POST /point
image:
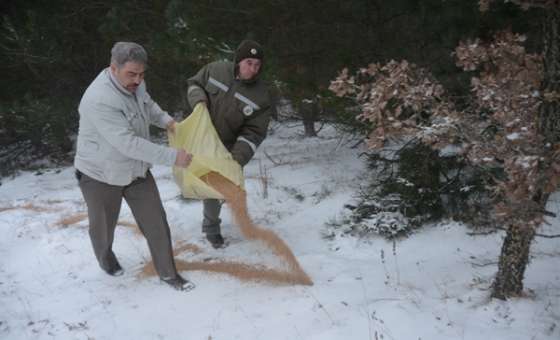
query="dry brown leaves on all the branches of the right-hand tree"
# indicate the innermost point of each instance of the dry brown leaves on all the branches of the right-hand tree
(499, 130)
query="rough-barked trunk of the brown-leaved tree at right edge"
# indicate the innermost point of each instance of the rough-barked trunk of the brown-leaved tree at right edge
(515, 249)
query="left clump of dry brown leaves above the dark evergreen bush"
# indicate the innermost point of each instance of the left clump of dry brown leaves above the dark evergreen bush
(396, 99)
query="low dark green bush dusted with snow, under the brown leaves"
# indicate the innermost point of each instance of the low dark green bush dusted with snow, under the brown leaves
(424, 185)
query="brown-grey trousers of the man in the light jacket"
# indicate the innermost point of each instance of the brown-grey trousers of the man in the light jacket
(104, 204)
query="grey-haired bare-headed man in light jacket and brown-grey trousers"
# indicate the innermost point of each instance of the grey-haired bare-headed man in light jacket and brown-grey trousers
(113, 159)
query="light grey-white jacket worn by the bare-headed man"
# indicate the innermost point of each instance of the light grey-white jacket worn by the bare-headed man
(114, 144)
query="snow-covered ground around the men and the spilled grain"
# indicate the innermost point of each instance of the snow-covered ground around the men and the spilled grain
(432, 285)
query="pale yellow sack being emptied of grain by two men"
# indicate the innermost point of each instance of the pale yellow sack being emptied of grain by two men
(197, 135)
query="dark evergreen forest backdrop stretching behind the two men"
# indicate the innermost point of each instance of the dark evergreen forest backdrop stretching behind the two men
(51, 50)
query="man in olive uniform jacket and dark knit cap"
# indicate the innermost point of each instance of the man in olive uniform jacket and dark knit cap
(239, 106)
